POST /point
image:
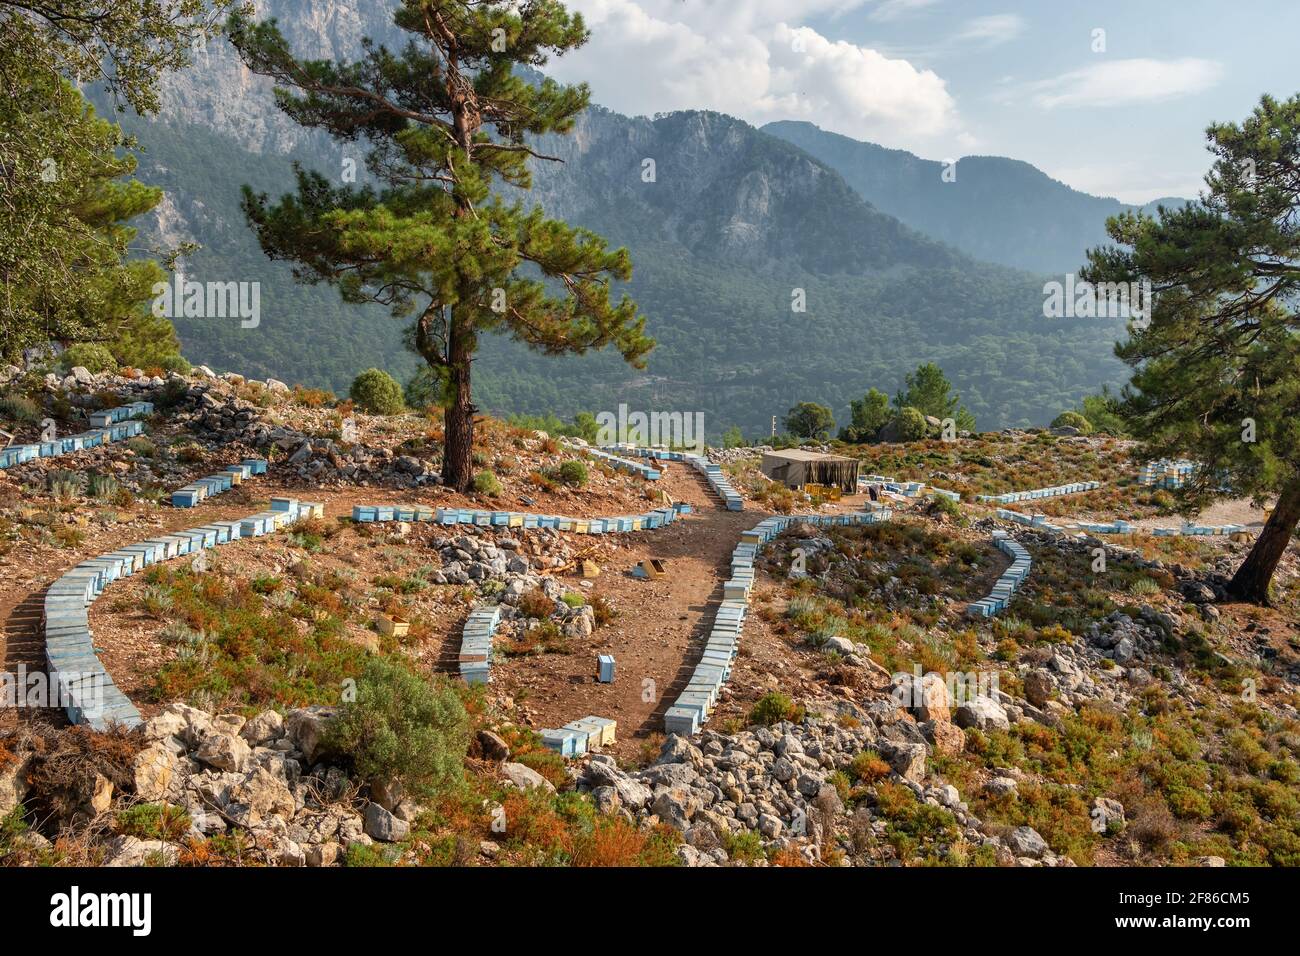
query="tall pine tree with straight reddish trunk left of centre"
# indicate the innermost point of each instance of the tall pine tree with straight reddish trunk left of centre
(447, 119)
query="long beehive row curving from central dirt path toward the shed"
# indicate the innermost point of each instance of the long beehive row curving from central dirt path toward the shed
(696, 703)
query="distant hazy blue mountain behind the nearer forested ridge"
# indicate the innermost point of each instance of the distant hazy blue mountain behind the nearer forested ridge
(999, 210)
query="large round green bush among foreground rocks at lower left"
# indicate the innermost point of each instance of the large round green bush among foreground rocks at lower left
(402, 728)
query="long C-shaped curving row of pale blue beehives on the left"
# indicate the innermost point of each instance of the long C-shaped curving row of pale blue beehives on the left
(86, 690)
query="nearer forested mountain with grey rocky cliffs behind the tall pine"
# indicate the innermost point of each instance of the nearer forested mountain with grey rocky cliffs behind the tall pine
(730, 231)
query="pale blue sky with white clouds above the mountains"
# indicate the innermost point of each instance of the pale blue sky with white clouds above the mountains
(1119, 114)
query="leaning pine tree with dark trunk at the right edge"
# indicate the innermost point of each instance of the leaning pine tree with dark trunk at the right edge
(1216, 361)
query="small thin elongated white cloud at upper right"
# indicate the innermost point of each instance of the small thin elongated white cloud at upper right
(1124, 83)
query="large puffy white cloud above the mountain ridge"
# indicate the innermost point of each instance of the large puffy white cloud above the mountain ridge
(744, 58)
